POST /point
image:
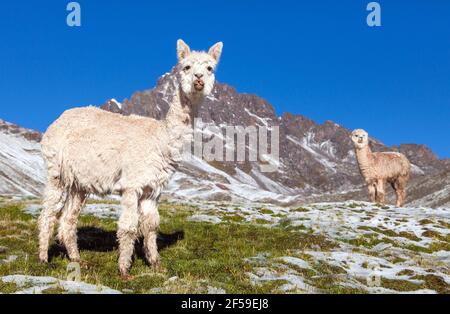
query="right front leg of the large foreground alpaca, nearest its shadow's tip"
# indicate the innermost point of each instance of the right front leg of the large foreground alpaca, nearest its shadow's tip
(149, 228)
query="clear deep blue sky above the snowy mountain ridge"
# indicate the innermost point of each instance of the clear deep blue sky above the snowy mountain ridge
(316, 58)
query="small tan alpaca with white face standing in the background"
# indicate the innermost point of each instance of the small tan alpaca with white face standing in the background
(381, 168)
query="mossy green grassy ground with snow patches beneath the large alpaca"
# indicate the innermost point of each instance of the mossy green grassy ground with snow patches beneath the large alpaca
(199, 255)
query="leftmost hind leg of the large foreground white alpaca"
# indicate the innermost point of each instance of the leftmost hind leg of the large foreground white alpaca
(53, 202)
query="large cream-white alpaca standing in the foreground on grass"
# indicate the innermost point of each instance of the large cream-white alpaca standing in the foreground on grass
(92, 151)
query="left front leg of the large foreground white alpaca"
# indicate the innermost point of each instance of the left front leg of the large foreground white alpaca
(128, 230)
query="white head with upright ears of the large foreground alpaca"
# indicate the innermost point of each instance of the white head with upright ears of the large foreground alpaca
(196, 70)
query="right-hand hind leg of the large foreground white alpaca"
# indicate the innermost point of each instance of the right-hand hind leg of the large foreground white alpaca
(68, 225)
